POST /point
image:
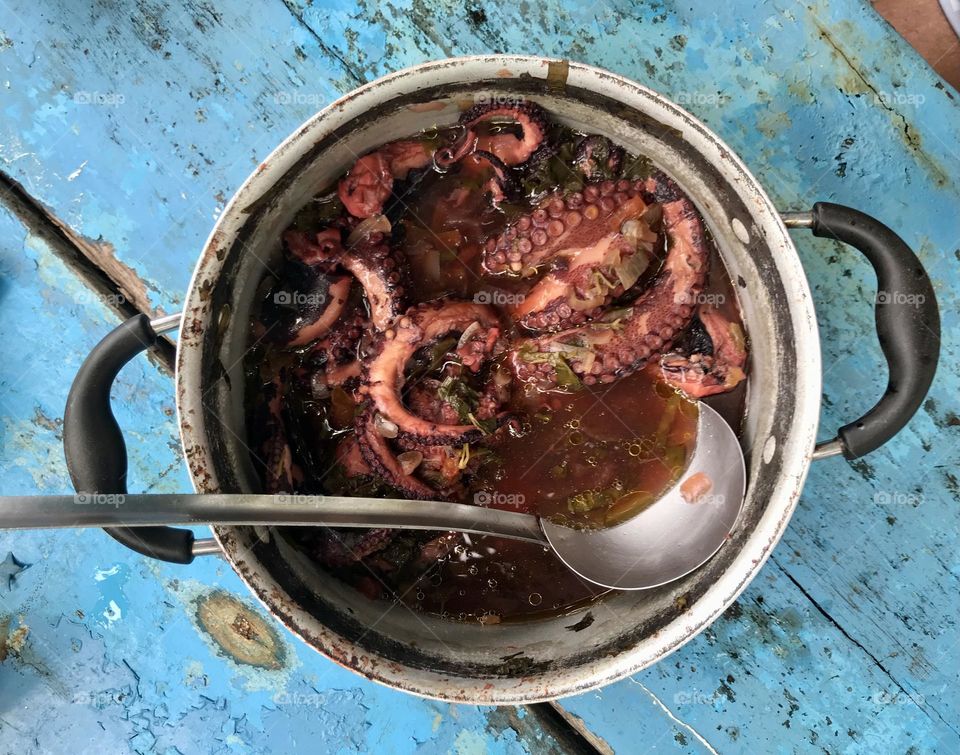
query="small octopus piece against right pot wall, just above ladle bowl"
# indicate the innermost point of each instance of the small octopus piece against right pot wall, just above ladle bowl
(708, 372)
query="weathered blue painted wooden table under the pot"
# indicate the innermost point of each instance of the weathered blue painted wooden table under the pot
(126, 128)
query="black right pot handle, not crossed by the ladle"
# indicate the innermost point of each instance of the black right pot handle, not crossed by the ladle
(907, 321)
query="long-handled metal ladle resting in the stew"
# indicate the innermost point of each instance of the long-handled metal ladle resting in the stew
(665, 541)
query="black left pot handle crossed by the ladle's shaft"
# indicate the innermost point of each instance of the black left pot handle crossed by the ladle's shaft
(93, 442)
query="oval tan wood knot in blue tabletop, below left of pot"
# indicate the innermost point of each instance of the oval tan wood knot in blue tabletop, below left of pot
(241, 633)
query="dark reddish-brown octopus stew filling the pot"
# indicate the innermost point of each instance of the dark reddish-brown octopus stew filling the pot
(505, 312)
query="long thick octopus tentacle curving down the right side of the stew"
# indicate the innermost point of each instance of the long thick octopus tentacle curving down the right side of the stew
(601, 352)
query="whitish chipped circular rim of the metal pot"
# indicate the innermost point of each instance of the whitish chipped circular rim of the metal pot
(798, 441)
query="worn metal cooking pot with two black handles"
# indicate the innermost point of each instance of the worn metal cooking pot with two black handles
(537, 660)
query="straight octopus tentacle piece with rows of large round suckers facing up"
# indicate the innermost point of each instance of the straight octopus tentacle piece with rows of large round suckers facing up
(560, 223)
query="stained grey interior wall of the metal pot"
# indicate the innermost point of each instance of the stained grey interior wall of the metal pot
(390, 642)
